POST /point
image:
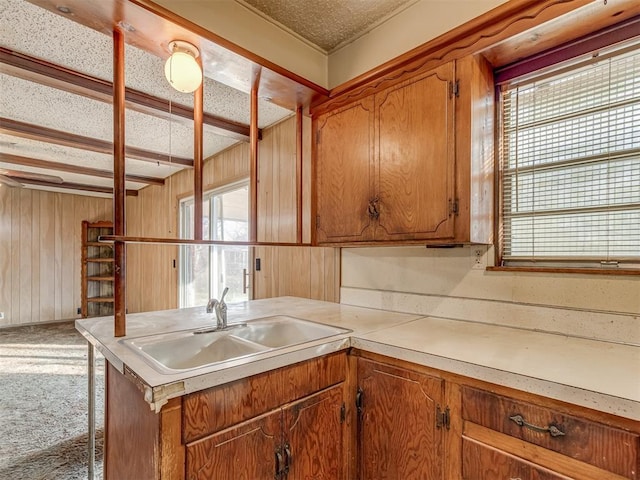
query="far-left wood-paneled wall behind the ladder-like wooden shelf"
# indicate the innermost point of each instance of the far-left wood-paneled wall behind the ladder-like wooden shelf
(40, 246)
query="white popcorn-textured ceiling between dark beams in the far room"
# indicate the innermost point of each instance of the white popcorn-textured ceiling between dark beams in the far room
(31, 30)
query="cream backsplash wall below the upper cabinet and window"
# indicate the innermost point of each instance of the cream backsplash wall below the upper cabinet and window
(447, 283)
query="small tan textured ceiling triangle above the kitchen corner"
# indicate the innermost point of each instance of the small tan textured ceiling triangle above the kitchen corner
(328, 24)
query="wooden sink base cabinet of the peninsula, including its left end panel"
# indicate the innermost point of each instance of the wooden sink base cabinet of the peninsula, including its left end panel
(284, 424)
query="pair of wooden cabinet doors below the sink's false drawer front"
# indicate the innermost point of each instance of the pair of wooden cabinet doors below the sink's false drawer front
(300, 441)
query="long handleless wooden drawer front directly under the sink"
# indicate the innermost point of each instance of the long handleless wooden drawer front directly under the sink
(211, 410)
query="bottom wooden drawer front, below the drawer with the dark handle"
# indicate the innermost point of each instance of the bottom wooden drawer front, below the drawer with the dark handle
(482, 462)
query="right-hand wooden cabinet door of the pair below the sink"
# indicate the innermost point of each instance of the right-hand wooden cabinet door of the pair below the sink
(315, 435)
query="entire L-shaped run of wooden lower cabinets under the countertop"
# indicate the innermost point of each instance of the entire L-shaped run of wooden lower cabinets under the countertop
(350, 416)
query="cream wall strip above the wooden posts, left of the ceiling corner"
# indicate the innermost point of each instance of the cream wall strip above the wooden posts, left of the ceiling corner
(246, 29)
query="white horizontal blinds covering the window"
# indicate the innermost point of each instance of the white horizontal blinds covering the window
(570, 155)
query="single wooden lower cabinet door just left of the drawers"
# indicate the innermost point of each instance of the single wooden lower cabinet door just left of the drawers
(398, 437)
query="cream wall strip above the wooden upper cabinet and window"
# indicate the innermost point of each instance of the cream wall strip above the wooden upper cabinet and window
(412, 27)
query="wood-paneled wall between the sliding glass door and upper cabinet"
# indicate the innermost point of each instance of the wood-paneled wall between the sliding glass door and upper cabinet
(310, 272)
